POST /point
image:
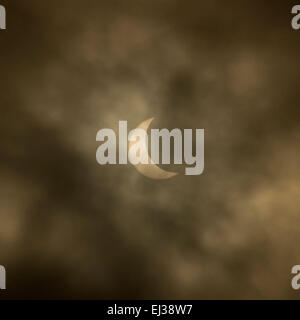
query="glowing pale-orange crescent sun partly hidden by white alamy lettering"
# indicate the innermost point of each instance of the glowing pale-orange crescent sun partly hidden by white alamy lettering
(151, 170)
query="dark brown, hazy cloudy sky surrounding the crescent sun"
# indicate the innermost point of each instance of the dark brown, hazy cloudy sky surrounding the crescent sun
(70, 228)
